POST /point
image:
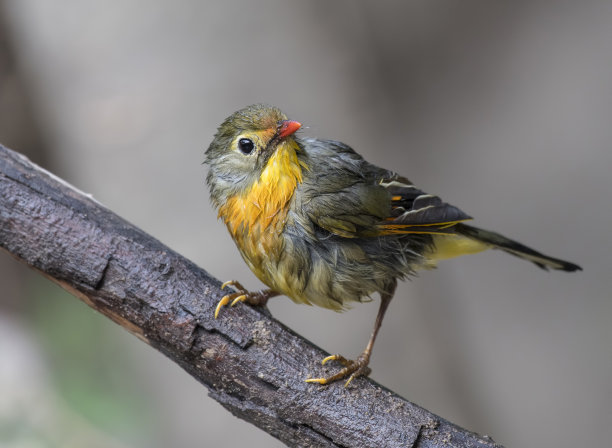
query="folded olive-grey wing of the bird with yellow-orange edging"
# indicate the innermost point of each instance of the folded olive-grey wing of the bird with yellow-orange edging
(352, 198)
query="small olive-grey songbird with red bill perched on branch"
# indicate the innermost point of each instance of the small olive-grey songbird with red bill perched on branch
(316, 222)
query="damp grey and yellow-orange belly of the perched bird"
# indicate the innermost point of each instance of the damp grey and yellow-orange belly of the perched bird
(330, 273)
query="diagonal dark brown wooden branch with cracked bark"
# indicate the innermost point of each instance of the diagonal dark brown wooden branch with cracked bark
(252, 364)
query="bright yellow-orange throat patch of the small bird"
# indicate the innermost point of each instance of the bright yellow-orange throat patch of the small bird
(265, 202)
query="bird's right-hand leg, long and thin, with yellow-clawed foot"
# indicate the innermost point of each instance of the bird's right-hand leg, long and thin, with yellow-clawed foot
(358, 367)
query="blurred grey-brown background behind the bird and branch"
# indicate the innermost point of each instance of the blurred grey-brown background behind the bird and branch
(502, 108)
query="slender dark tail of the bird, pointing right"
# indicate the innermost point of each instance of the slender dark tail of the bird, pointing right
(512, 247)
